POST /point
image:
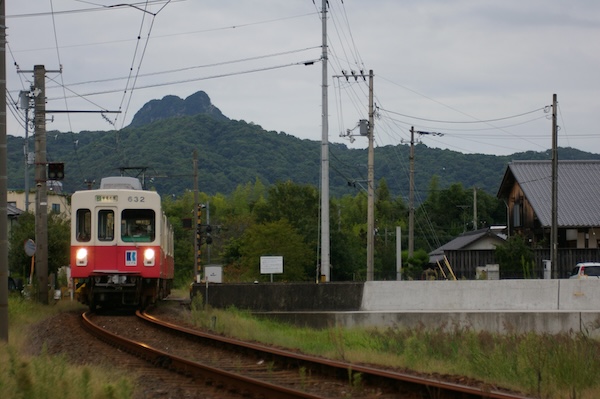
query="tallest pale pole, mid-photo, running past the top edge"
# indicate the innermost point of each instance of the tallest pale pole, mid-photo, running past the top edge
(325, 240)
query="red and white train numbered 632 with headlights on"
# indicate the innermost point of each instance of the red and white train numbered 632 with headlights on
(121, 245)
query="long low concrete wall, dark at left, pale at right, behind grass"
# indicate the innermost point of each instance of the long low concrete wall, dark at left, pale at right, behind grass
(501, 306)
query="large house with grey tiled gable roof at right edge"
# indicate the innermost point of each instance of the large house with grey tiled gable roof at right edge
(527, 191)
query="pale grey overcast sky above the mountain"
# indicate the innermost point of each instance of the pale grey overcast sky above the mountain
(481, 72)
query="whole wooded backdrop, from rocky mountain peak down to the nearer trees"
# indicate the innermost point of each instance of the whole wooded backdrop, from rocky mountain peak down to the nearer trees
(261, 189)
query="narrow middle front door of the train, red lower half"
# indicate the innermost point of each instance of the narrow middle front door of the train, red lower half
(106, 250)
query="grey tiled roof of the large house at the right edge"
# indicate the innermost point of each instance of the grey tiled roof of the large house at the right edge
(578, 190)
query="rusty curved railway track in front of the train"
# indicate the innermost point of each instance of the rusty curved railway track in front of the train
(258, 371)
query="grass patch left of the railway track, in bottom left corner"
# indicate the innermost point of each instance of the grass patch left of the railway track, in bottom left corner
(49, 376)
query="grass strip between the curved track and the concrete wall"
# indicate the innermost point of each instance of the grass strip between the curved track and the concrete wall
(544, 366)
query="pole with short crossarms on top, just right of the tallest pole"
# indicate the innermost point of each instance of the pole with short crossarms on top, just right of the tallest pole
(371, 190)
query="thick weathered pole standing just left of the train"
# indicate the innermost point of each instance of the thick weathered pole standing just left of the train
(41, 197)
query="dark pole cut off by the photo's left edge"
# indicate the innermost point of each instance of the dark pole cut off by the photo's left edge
(3, 184)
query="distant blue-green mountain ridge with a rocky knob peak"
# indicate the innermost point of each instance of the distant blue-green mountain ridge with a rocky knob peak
(160, 142)
